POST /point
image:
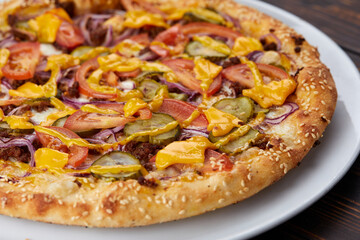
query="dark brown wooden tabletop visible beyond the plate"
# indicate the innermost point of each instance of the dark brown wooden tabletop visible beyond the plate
(337, 214)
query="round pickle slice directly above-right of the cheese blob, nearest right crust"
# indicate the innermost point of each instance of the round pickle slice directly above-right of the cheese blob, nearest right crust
(242, 107)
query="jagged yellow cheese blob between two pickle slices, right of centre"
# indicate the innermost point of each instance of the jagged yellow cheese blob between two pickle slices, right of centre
(220, 123)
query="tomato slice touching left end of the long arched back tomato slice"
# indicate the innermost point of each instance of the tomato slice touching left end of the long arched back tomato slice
(173, 38)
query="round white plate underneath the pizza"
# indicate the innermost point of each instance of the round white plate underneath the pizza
(320, 170)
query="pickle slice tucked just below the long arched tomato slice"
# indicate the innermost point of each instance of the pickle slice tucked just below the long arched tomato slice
(195, 48)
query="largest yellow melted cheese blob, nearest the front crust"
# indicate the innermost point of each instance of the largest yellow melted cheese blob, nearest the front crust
(191, 151)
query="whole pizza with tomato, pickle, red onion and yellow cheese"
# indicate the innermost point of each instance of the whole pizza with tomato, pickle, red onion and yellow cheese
(129, 113)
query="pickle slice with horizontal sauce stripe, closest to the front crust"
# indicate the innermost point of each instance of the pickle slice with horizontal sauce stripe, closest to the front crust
(116, 158)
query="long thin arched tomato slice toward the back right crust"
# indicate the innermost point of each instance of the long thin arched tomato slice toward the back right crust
(210, 28)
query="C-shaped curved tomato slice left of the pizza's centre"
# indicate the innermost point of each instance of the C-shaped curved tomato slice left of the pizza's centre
(84, 87)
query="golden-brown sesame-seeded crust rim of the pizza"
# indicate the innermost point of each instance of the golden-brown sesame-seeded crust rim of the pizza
(124, 204)
